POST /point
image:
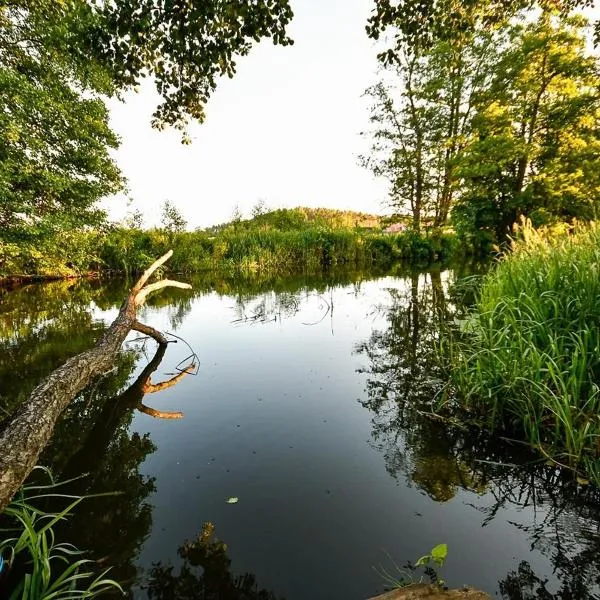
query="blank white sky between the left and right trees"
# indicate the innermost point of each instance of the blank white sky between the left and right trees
(285, 130)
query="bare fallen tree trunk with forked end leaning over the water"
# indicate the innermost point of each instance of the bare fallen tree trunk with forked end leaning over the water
(29, 429)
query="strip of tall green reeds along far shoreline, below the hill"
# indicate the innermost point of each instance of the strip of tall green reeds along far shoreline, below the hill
(269, 250)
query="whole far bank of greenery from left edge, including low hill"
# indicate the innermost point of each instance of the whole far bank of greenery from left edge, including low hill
(287, 242)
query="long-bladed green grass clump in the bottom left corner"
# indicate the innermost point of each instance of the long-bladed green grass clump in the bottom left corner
(51, 569)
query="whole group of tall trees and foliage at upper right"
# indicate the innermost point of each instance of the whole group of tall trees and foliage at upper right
(493, 113)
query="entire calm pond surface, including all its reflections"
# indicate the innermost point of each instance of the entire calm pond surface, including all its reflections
(309, 406)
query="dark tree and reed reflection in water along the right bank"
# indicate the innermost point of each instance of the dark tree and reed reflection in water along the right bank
(441, 458)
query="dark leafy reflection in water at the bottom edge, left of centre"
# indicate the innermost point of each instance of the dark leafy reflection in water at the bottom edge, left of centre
(204, 575)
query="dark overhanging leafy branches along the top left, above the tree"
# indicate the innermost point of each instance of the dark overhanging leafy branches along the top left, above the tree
(183, 45)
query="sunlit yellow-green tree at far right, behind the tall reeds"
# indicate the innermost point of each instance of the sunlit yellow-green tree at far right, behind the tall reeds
(535, 142)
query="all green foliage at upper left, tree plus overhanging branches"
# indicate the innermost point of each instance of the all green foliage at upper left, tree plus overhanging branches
(58, 62)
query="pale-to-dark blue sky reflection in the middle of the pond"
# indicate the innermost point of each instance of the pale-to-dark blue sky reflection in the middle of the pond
(273, 418)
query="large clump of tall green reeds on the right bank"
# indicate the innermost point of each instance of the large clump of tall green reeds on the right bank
(528, 359)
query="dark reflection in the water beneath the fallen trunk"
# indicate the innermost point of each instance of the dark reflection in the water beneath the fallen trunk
(101, 445)
